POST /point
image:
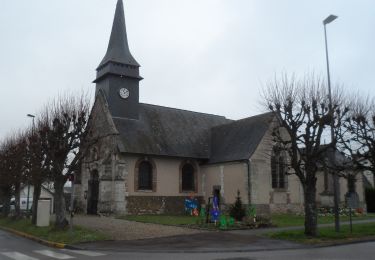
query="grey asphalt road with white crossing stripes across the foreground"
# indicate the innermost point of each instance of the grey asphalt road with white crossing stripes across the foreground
(12, 247)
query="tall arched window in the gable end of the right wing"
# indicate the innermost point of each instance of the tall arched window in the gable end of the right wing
(278, 169)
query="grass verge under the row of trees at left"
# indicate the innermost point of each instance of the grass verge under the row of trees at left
(49, 233)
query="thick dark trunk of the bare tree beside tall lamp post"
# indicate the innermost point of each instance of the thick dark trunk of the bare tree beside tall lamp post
(311, 213)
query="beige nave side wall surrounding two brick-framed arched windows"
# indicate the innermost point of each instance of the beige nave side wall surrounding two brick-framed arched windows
(166, 198)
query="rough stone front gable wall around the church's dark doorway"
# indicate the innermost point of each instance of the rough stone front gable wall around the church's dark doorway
(104, 160)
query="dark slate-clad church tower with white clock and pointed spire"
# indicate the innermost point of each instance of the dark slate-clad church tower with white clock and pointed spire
(117, 75)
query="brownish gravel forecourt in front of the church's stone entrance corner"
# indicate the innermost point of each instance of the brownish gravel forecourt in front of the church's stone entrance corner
(119, 229)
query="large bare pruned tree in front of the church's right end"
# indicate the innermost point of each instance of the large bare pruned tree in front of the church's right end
(303, 110)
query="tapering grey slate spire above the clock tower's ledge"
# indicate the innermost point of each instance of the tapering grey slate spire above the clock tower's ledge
(118, 48)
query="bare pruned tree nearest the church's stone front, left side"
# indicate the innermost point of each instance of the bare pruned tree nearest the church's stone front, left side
(66, 120)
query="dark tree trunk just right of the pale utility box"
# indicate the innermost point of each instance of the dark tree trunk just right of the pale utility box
(60, 207)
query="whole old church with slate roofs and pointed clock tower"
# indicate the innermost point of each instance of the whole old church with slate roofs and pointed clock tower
(147, 159)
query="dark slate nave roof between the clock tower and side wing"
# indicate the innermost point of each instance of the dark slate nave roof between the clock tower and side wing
(168, 132)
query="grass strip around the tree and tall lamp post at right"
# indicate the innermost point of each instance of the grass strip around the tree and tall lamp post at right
(327, 235)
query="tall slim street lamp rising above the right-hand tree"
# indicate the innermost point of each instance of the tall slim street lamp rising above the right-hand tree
(326, 21)
